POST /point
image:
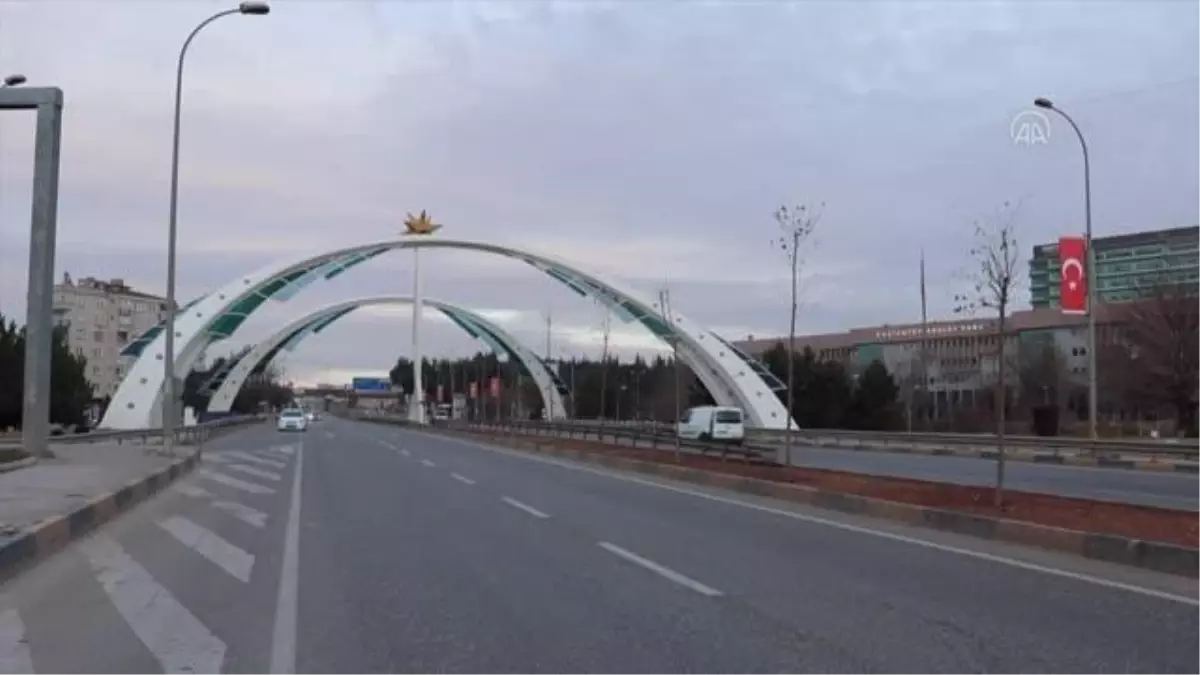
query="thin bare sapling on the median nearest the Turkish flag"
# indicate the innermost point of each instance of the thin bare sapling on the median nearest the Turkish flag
(994, 279)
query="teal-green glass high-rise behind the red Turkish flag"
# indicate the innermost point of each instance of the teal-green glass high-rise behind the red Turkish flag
(1126, 265)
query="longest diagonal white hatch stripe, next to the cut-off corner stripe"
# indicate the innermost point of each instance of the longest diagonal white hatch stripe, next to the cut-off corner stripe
(178, 640)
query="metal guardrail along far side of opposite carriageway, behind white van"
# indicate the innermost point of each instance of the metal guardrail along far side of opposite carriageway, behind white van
(867, 440)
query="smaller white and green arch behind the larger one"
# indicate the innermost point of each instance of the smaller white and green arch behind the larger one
(477, 326)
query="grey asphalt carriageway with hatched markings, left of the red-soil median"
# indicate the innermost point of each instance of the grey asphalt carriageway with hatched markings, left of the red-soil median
(399, 552)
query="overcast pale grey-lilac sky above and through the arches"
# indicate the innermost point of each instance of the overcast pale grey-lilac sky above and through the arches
(651, 141)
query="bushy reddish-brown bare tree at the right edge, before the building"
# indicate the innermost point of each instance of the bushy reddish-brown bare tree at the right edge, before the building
(1163, 336)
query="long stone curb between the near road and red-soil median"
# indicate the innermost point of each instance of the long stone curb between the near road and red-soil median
(1157, 557)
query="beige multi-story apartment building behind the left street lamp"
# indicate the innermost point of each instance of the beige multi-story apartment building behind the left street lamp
(103, 318)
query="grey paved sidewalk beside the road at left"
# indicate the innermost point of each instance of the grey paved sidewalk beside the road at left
(79, 475)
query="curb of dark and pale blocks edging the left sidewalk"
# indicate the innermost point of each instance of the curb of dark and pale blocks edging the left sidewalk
(53, 534)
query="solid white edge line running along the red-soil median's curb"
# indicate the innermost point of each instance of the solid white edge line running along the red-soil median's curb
(862, 530)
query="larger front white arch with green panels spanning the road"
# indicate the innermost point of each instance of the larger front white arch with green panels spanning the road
(733, 378)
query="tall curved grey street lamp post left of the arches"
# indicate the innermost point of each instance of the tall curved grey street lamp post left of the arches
(251, 8)
